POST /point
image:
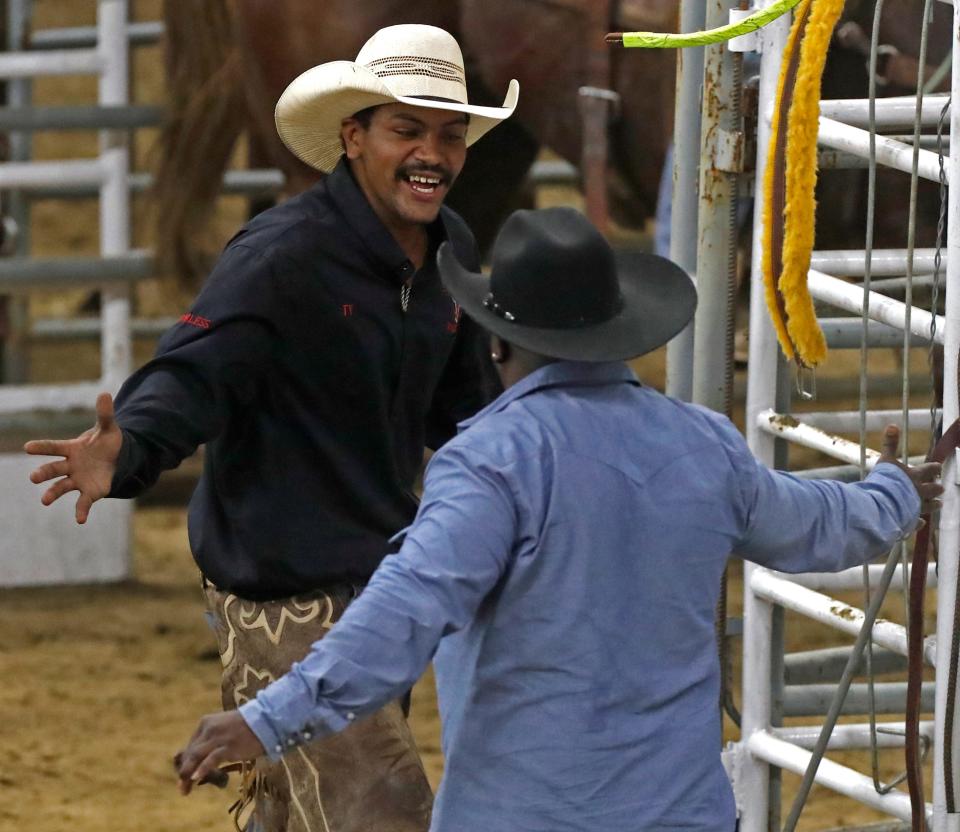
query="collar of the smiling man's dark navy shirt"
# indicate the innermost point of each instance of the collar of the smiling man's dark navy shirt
(353, 204)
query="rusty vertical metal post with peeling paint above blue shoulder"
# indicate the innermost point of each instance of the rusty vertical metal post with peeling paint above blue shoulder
(721, 149)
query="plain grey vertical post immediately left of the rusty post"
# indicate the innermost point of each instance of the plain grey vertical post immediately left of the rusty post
(686, 173)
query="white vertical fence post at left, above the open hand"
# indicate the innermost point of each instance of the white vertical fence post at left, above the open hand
(115, 359)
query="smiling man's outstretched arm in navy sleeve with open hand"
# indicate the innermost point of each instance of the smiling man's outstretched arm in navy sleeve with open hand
(207, 369)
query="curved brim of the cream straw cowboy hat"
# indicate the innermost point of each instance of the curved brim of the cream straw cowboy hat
(311, 110)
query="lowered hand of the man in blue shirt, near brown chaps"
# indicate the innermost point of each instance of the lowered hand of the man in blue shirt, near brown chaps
(219, 738)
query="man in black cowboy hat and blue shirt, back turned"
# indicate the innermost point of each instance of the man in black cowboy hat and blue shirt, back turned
(564, 564)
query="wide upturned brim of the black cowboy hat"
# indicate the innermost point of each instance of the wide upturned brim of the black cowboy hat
(659, 300)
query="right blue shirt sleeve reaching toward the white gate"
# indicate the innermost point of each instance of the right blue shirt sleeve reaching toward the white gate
(796, 525)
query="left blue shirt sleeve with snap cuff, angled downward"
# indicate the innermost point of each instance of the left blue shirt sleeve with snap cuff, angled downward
(453, 555)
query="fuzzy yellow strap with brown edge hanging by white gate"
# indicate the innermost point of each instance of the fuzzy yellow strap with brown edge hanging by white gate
(789, 204)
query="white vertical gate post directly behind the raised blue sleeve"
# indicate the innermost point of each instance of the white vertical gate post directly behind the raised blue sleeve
(757, 710)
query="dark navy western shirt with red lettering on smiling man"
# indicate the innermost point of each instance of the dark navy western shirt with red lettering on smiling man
(313, 388)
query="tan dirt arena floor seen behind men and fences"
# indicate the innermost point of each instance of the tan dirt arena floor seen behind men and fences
(102, 684)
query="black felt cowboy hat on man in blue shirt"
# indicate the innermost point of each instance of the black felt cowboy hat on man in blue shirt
(556, 288)
